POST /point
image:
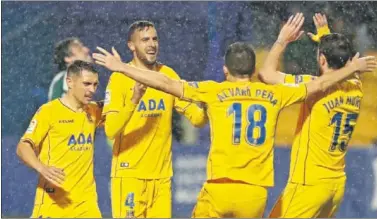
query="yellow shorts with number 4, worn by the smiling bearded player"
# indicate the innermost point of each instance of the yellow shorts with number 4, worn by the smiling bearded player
(152, 197)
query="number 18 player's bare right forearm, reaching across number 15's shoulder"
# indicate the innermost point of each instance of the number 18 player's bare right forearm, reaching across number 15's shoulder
(326, 81)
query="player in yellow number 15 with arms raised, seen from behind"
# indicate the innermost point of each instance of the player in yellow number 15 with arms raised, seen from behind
(317, 178)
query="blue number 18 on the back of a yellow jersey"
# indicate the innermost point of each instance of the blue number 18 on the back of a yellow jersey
(253, 123)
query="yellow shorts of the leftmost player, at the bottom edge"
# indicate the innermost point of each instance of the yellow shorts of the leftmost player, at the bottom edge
(85, 209)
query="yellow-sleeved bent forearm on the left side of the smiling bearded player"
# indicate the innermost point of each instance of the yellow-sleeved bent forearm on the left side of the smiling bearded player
(116, 121)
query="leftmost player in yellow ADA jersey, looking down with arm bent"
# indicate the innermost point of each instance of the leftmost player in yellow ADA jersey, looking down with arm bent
(59, 145)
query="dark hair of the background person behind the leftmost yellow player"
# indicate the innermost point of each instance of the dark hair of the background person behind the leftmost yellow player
(62, 50)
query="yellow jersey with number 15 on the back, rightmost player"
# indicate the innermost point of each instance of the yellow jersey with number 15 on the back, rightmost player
(324, 128)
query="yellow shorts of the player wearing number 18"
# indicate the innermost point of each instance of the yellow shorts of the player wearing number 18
(219, 200)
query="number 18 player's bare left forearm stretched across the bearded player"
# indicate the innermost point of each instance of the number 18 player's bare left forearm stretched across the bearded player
(153, 79)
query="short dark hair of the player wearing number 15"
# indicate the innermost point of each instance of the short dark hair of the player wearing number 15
(337, 49)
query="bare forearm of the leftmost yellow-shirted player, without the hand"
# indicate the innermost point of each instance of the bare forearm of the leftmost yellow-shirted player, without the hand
(27, 154)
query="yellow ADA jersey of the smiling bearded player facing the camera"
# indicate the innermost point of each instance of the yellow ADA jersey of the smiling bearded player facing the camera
(143, 148)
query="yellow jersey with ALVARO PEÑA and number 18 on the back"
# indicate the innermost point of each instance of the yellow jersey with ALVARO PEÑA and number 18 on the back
(243, 117)
